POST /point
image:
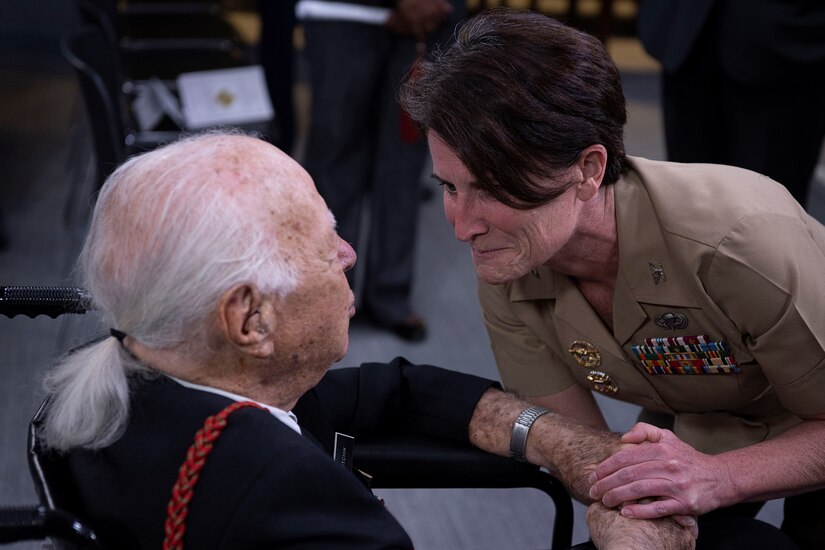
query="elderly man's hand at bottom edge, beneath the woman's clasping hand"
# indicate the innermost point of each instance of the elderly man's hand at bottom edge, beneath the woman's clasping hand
(611, 531)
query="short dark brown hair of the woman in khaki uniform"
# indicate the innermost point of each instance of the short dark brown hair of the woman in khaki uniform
(518, 96)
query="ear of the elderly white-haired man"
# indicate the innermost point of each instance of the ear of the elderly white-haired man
(246, 319)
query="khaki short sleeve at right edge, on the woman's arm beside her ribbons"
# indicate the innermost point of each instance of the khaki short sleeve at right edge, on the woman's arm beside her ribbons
(767, 277)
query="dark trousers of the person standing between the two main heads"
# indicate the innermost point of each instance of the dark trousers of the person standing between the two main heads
(358, 157)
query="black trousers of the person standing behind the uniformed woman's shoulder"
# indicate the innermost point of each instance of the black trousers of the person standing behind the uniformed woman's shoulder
(775, 128)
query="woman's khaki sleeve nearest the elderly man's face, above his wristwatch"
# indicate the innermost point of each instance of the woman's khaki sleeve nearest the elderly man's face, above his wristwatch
(526, 364)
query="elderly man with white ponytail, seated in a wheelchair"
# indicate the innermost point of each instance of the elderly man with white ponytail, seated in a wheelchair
(217, 265)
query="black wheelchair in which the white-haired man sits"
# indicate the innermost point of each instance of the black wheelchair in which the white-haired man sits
(398, 461)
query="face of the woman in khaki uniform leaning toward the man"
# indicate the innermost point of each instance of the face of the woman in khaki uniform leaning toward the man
(506, 242)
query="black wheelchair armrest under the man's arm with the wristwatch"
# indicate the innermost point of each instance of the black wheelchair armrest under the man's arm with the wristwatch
(411, 461)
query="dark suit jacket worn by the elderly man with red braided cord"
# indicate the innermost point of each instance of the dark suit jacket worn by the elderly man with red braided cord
(263, 485)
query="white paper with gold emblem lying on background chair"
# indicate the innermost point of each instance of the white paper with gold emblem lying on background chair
(224, 96)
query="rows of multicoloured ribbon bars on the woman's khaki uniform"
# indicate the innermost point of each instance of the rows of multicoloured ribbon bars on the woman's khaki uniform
(686, 355)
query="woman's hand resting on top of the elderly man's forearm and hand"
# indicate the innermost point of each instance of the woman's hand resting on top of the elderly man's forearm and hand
(679, 479)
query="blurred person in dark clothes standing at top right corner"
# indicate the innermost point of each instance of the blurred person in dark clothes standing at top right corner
(743, 83)
